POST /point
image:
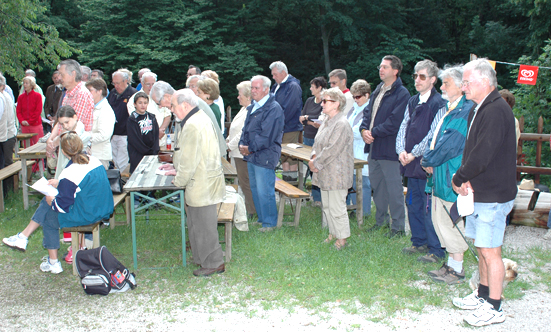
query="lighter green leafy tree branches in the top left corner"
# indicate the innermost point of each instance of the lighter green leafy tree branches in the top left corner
(26, 42)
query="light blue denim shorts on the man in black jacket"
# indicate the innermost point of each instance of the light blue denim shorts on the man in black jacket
(487, 224)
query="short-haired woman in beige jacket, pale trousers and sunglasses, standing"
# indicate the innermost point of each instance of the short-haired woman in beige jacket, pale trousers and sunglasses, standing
(332, 162)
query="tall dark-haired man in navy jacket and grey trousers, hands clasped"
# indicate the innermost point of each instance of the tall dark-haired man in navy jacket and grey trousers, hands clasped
(382, 119)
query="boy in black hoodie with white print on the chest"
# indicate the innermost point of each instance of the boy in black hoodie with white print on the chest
(142, 130)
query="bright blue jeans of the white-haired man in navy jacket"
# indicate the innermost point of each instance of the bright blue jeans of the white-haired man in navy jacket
(262, 183)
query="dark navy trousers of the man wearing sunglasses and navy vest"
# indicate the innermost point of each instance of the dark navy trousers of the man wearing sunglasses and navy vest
(420, 222)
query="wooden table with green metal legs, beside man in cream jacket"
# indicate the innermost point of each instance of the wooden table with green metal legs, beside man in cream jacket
(145, 179)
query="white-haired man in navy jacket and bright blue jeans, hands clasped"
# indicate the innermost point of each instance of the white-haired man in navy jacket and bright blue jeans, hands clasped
(260, 145)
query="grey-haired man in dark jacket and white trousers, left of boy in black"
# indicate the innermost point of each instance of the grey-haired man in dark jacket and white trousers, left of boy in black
(118, 99)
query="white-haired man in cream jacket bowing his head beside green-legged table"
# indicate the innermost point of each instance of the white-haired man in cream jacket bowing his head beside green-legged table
(198, 169)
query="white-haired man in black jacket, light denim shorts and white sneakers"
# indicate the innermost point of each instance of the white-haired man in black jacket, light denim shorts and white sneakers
(488, 169)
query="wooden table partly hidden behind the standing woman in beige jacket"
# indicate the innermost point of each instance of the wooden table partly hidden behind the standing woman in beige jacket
(303, 153)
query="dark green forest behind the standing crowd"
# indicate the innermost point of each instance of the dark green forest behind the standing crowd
(239, 39)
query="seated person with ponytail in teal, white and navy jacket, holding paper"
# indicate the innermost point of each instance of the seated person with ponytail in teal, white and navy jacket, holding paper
(84, 197)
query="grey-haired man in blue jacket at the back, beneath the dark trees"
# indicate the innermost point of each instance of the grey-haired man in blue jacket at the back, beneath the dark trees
(288, 94)
